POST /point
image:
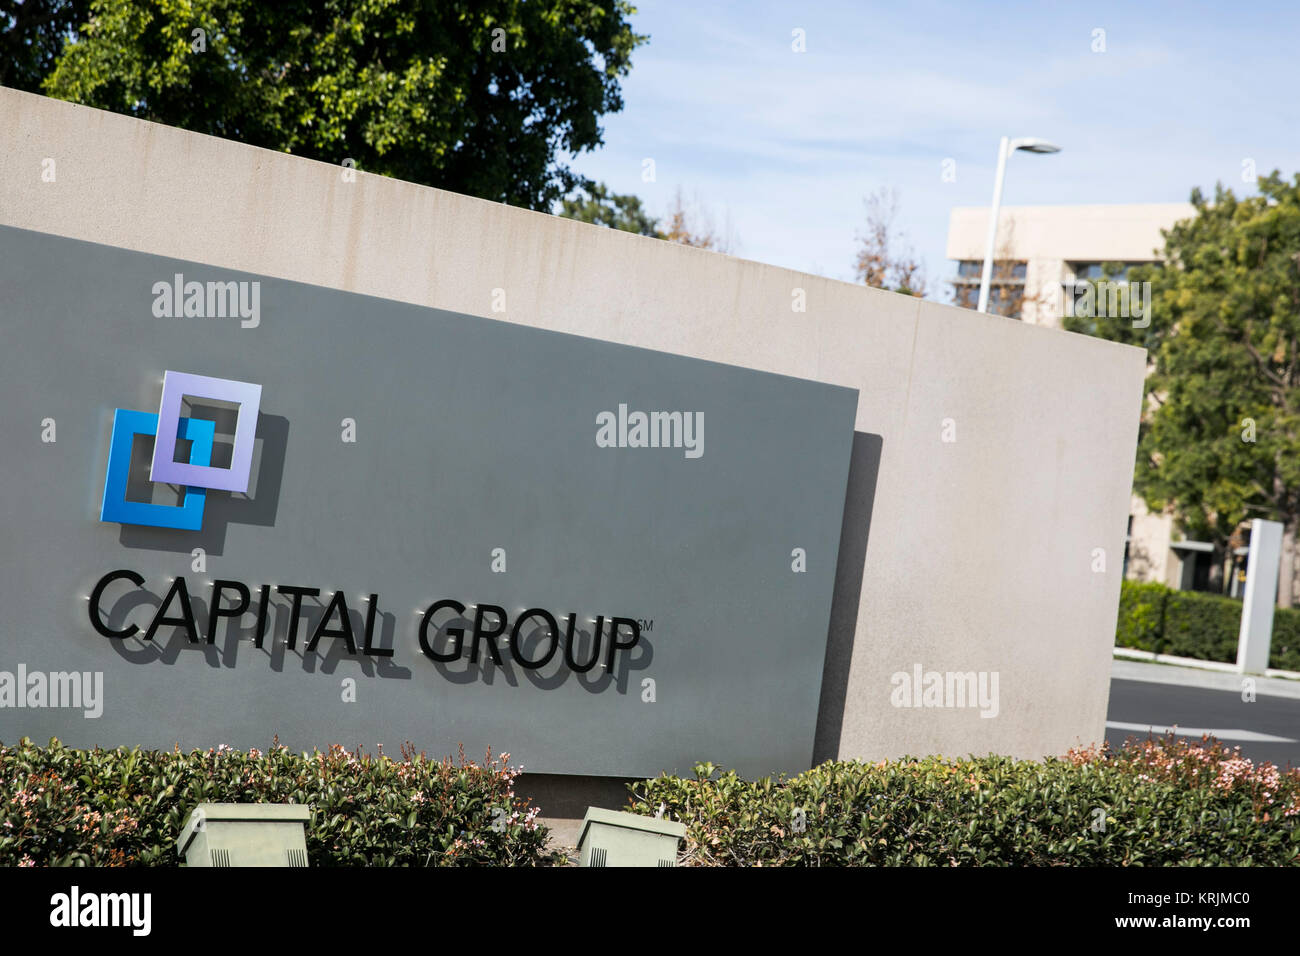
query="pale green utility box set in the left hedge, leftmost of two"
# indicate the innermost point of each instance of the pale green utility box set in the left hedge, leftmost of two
(245, 836)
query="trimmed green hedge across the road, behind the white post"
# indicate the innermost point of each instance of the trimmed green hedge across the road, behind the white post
(1191, 624)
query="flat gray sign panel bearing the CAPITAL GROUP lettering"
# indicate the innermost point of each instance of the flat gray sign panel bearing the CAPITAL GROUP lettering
(415, 456)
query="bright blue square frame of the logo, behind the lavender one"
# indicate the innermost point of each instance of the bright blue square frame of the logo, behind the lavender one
(116, 508)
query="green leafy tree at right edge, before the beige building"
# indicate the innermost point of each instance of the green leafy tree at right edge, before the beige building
(1220, 438)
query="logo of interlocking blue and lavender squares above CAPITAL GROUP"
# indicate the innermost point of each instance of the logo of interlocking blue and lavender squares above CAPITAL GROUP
(198, 475)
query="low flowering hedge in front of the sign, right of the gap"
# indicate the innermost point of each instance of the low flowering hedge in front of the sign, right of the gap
(1155, 803)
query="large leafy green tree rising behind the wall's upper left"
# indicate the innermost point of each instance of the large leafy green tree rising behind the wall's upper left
(479, 97)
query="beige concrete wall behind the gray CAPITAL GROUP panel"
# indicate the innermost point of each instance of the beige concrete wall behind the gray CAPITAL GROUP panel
(981, 552)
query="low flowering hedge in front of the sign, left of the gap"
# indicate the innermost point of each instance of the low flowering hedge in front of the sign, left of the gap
(62, 807)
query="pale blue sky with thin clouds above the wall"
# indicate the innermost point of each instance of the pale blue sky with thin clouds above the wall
(788, 145)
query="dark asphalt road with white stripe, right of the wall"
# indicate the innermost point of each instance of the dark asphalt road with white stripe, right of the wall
(1267, 729)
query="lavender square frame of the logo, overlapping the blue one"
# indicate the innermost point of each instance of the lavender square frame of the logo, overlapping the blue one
(233, 479)
